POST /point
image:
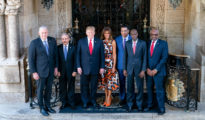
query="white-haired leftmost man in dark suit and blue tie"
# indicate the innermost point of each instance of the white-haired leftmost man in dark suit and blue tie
(43, 63)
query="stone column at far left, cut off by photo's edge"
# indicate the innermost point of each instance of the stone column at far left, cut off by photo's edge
(2, 31)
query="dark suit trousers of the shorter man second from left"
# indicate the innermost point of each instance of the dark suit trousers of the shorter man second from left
(67, 89)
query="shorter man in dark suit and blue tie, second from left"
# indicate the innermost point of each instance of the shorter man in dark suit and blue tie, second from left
(67, 71)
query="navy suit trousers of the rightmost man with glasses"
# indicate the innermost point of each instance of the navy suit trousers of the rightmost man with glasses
(158, 81)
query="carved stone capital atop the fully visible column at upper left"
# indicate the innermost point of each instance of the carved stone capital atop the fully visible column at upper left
(12, 7)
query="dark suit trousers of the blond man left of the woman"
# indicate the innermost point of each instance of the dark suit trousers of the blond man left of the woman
(88, 83)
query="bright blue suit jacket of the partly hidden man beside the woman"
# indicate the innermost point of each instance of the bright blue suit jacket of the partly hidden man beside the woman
(120, 51)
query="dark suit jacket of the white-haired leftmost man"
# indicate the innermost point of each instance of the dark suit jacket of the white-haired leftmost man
(39, 61)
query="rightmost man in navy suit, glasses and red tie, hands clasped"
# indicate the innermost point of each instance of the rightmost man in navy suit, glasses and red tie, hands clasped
(156, 70)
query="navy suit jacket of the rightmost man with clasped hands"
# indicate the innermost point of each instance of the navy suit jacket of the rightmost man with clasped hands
(159, 57)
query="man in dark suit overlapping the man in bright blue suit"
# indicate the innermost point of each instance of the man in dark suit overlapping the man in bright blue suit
(135, 61)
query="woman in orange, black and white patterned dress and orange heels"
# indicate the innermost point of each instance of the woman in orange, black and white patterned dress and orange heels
(109, 80)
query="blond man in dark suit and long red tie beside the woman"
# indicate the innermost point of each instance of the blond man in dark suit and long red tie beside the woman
(90, 61)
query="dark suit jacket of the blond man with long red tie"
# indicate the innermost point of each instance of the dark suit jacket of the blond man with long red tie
(90, 64)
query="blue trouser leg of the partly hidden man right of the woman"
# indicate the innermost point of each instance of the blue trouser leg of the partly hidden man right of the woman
(122, 84)
